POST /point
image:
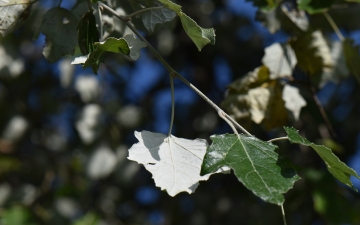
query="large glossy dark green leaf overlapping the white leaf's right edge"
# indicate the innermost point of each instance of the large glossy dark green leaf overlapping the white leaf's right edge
(255, 163)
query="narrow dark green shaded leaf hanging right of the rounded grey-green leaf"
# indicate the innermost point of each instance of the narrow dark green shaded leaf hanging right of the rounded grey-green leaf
(87, 33)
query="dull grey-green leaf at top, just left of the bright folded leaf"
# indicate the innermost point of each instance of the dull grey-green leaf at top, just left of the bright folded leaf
(152, 17)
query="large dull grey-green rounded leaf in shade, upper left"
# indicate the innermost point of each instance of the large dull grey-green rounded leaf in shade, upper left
(59, 26)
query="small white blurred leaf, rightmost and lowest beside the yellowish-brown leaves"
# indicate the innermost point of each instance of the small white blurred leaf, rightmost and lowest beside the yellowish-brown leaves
(293, 100)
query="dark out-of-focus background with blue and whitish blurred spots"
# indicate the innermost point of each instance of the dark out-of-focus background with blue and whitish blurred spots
(65, 132)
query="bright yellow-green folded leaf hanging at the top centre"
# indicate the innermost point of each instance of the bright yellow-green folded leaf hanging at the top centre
(200, 36)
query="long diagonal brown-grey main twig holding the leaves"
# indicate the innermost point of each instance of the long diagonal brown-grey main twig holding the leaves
(169, 68)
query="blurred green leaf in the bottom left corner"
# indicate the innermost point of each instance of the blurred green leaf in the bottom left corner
(16, 215)
